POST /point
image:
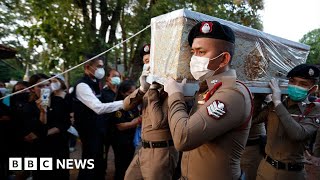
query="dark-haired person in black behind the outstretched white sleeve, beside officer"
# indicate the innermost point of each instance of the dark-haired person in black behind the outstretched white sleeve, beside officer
(126, 123)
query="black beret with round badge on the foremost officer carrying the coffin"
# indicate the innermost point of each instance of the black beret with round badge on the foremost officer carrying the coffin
(211, 29)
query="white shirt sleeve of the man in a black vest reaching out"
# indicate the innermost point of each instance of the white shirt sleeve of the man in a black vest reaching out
(85, 94)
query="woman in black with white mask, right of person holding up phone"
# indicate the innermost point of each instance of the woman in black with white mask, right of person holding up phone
(58, 121)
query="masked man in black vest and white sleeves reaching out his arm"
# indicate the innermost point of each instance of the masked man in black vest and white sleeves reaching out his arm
(87, 111)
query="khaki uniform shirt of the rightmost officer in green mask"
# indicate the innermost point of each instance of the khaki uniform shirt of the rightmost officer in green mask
(288, 133)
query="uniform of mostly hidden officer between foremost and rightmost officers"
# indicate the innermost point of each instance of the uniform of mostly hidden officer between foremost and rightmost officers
(254, 150)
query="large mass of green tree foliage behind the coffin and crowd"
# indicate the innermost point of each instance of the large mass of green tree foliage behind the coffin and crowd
(53, 35)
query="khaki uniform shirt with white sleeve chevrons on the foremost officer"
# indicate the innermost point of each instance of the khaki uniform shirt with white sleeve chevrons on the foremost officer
(212, 142)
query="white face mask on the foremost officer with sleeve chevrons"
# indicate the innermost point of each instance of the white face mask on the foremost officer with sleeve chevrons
(199, 67)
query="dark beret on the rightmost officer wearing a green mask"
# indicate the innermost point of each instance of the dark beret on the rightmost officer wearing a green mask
(305, 71)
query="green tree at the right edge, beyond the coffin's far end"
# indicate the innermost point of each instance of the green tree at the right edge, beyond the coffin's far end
(312, 39)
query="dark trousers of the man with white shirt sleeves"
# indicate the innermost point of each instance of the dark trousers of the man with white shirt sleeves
(92, 148)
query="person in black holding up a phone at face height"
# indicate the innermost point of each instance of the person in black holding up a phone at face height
(34, 122)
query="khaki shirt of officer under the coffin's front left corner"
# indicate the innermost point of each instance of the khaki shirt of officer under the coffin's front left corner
(154, 114)
